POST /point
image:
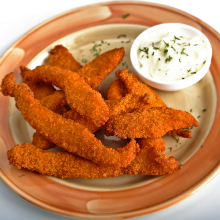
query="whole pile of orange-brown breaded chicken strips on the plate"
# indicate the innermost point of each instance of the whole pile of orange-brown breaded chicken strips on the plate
(61, 101)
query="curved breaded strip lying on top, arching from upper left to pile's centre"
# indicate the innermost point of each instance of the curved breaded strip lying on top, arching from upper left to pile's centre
(79, 95)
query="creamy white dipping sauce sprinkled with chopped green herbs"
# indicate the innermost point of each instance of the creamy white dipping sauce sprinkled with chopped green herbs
(169, 57)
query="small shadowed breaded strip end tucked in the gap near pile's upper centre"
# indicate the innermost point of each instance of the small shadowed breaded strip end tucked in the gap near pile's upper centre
(117, 90)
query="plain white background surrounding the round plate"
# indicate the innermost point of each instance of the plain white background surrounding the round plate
(17, 18)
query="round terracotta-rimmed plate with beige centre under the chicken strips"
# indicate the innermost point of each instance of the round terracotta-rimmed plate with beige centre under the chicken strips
(123, 197)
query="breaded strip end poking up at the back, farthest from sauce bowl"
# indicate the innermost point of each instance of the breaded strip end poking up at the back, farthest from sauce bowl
(61, 57)
